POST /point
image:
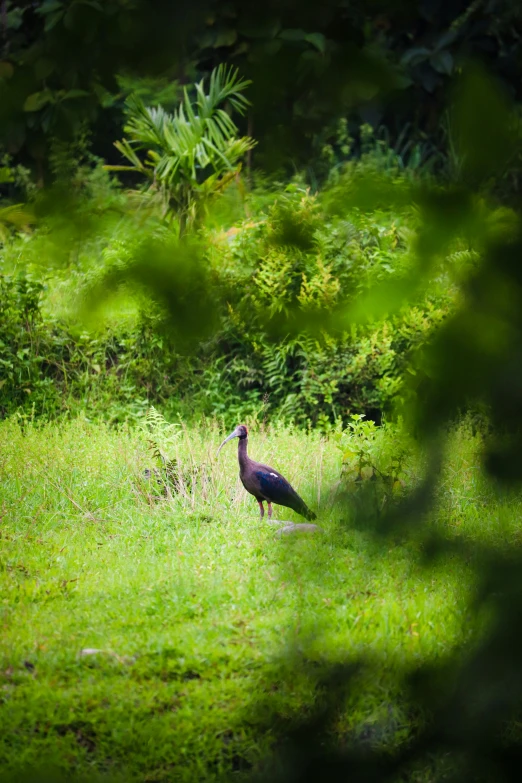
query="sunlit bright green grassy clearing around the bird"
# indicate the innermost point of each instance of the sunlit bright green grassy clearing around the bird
(194, 604)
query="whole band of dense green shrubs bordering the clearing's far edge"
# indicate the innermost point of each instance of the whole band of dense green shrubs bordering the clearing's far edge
(285, 259)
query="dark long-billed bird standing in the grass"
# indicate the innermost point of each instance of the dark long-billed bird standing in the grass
(263, 482)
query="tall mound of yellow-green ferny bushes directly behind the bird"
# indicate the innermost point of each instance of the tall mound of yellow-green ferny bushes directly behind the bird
(314, 377)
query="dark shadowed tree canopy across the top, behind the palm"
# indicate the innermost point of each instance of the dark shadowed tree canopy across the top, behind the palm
(382, 62)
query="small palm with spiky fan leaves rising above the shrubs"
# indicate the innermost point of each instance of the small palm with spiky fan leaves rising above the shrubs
(193, 154)
